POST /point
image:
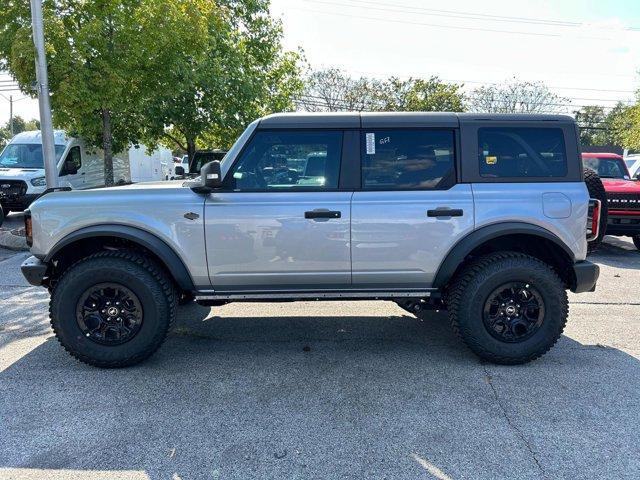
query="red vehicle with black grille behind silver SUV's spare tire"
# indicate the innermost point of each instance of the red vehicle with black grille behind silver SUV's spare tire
(623, 194)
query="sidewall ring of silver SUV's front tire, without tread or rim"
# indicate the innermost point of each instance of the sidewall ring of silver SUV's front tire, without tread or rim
(67, 293)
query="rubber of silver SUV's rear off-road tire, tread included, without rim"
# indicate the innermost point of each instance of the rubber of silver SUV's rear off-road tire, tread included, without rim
(470, 289)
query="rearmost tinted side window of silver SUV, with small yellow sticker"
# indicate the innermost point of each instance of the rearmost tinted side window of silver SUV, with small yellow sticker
(521, 152)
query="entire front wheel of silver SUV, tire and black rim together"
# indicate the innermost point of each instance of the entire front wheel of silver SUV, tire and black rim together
(113, 308)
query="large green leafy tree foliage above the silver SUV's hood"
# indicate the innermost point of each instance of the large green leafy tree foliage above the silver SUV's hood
(126, 71)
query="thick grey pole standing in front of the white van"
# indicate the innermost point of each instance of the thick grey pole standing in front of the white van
(46, 124)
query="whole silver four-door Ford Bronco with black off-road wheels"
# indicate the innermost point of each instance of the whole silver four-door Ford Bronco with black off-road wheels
(485, 216)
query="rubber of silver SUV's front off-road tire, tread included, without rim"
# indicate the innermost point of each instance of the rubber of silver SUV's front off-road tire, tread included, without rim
(147, 280)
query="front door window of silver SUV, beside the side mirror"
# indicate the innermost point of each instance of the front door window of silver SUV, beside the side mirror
(289, 161)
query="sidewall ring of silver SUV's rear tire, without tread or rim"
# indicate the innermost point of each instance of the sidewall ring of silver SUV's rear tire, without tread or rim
(471, 314)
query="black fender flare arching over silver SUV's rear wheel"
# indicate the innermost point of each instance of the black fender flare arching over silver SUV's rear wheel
(464, 247)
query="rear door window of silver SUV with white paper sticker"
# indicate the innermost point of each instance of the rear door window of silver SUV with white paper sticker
(408, 159)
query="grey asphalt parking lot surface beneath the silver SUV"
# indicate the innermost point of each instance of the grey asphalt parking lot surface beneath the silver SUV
(325, 390)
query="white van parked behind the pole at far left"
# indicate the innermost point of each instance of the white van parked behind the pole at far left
(79, 167)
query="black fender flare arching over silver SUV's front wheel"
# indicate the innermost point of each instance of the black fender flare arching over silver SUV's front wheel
(159, 247)
